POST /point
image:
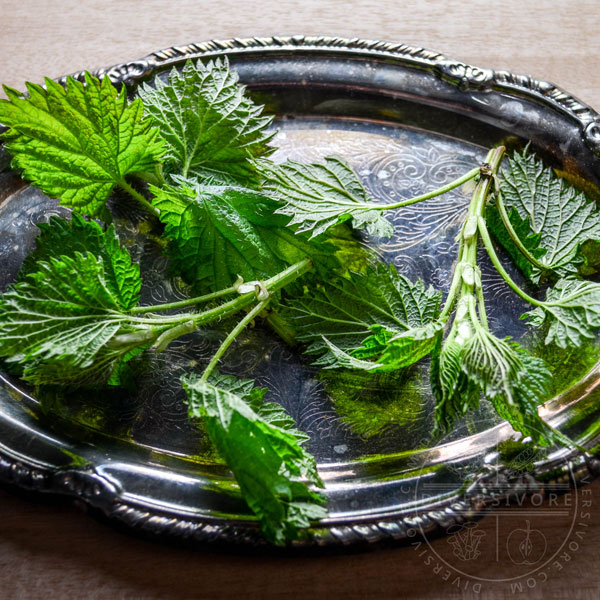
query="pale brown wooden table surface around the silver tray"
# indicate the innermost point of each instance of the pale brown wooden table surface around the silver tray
(50, 550)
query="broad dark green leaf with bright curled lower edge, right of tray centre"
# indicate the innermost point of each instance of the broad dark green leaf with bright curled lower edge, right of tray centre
(338, 318)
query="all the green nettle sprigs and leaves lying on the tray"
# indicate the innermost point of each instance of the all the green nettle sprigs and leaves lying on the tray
(241, 230)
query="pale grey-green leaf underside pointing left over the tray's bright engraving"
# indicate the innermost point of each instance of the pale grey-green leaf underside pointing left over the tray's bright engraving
(320, 196)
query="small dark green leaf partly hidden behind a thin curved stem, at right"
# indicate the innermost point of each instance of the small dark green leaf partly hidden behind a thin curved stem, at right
(530, 240)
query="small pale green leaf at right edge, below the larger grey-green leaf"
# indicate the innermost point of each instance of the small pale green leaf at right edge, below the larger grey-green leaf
(572, 308)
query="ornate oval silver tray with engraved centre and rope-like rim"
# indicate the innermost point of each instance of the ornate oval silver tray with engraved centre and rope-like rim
(408, 120)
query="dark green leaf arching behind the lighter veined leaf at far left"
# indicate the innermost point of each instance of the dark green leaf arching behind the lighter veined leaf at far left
(61, 237)
